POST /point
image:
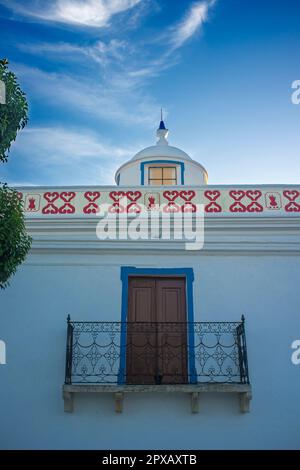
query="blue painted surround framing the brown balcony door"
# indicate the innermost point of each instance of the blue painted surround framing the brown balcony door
(188, 273)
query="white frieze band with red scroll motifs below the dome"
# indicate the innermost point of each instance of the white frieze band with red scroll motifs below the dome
(216, 201)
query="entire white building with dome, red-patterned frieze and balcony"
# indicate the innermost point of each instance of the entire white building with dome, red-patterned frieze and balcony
(164, 347)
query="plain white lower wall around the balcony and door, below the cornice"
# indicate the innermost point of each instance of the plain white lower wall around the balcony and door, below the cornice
(87, 286)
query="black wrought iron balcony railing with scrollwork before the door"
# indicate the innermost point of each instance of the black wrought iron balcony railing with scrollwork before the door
(156, 353)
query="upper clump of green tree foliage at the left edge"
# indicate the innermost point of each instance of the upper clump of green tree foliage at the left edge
(14, 113)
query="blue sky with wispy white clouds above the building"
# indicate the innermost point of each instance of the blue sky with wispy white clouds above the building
(96, 73)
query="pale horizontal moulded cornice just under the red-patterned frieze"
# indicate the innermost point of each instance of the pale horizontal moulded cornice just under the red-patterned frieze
(226, 235)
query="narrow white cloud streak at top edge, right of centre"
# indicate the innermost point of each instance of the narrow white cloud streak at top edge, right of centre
(196, 16)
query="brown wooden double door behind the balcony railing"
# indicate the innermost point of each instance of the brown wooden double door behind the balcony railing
(156, 351)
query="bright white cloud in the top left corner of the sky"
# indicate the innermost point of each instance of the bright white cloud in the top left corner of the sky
(91, 13)
